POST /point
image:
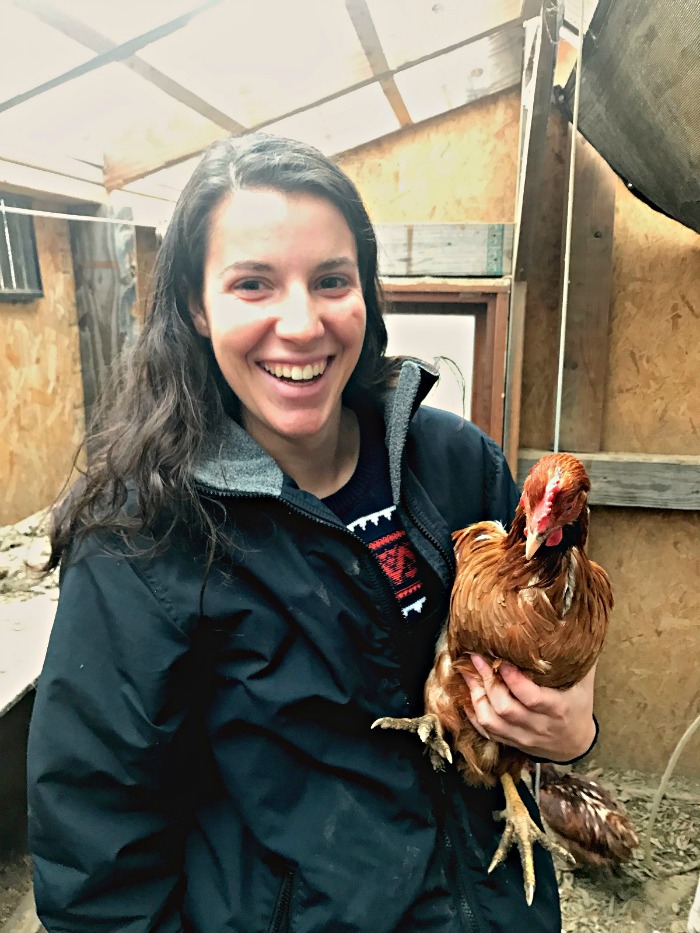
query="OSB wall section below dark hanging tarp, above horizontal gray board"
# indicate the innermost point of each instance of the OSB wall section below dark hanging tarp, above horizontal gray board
(652, 401)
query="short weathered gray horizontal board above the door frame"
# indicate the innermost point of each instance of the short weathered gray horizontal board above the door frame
(445, 249)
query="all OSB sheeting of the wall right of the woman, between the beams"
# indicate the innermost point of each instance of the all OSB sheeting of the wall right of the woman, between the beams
(462, 168)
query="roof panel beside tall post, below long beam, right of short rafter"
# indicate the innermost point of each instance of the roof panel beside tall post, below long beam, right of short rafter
(460, 77)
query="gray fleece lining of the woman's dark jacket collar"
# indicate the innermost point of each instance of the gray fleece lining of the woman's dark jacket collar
(232, 462)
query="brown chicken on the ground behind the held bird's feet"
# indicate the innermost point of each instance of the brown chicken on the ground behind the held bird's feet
(585, 818)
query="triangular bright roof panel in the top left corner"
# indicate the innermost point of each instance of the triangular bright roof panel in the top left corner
(32, 52)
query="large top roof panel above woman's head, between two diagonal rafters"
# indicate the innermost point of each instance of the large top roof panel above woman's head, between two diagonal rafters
(259, 61)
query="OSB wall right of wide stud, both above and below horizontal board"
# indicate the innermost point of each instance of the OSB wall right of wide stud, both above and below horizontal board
(649, 681)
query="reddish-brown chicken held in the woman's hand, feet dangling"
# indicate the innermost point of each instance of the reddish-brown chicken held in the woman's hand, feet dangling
(529, 596)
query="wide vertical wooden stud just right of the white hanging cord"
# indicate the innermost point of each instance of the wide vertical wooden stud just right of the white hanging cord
(588, 312)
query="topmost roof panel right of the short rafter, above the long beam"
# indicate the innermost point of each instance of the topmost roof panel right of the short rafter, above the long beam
(410, 29)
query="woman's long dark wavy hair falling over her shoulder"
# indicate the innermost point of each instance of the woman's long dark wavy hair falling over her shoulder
(167, 392)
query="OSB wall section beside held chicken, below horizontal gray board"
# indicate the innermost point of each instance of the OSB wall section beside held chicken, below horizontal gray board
(648, 687)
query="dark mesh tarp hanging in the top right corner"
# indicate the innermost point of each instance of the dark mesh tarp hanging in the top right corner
(640, 99)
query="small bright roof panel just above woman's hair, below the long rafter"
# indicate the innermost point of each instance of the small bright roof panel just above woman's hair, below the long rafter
(344, 123)
